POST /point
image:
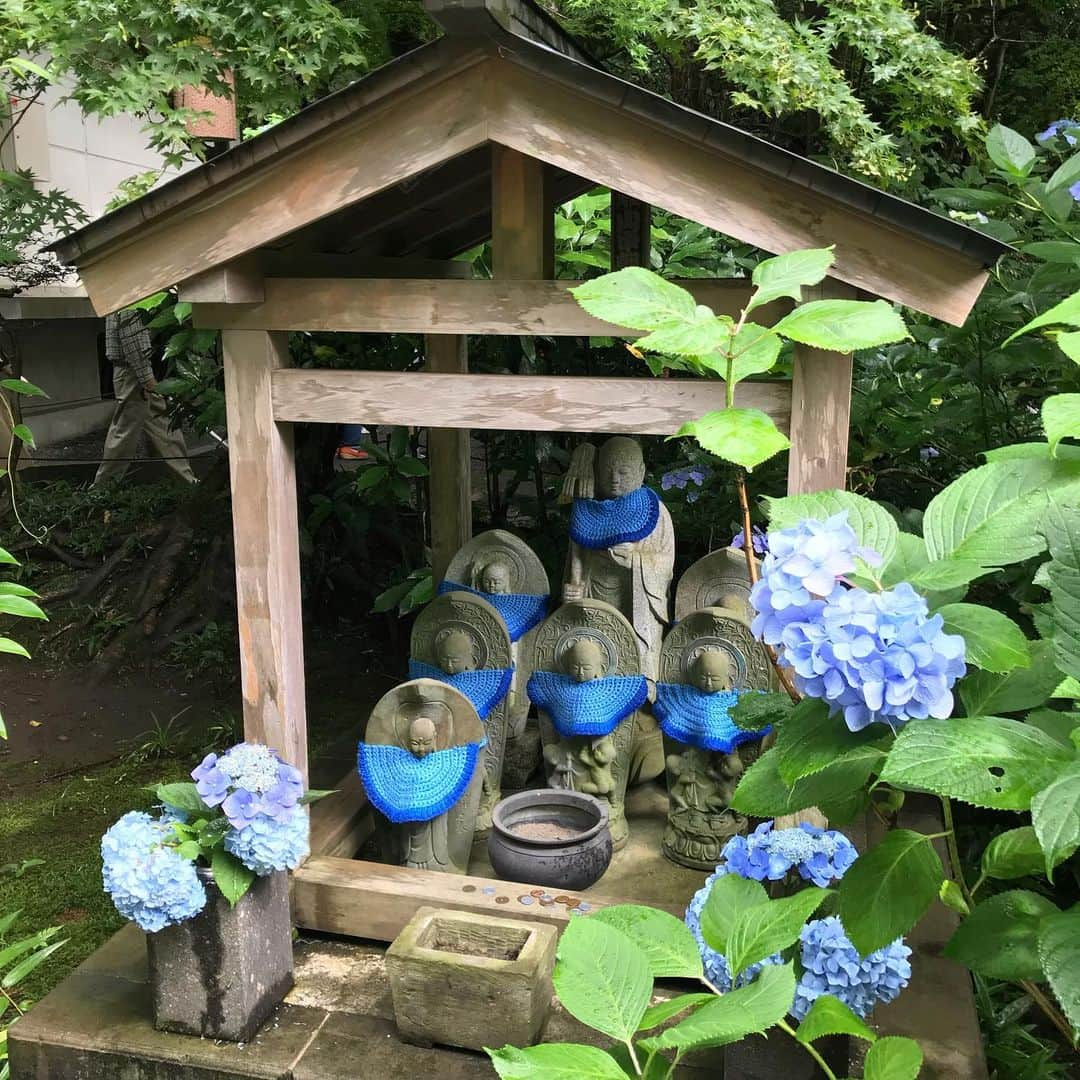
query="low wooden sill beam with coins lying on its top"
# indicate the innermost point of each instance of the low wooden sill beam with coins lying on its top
(375, 901)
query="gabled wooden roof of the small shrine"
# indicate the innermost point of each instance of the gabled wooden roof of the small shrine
(399, 165)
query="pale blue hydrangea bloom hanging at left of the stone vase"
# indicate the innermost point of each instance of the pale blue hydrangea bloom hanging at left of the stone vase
(151, 884)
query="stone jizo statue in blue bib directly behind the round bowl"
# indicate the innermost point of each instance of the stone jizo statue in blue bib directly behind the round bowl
(588, 687)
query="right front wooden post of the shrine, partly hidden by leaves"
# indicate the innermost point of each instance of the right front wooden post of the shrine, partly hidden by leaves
(821, 411)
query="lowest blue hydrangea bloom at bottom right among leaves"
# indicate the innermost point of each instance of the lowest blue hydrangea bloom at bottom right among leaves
(833, 966)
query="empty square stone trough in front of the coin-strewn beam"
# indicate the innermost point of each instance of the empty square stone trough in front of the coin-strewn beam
(472, 981)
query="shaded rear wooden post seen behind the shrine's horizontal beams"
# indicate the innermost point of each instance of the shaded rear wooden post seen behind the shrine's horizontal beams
(450, 462)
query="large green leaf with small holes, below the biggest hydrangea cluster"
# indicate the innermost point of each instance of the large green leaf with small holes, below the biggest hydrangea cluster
(987, 761)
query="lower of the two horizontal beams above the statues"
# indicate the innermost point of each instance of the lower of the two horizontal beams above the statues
(514, 402)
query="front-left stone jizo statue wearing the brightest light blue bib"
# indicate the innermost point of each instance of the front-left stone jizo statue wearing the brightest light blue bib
(420, 764)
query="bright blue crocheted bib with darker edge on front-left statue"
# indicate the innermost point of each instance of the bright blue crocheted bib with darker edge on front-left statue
(404, 788)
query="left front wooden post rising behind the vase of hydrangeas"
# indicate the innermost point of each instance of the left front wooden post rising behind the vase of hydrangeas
(267, 547)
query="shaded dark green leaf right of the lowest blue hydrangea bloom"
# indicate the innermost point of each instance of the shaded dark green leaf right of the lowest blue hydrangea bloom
(1000, 939)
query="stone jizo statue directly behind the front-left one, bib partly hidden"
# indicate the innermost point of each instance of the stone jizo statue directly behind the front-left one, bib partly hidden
(462, 641)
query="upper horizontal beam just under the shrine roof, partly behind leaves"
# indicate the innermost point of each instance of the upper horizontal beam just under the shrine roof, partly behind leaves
(423, 306)
